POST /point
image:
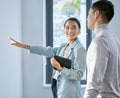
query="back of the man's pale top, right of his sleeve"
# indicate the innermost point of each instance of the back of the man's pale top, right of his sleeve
(111, 80)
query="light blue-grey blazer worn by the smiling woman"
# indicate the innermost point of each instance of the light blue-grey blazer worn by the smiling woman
(68, 81)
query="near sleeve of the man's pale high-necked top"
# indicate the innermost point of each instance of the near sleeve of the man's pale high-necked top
(97, 64)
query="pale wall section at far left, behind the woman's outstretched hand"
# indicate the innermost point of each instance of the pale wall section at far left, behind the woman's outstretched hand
(10, 57)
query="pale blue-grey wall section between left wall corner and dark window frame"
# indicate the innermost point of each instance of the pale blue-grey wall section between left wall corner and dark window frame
(32, 20)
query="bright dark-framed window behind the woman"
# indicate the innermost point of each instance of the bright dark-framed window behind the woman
(57, 11)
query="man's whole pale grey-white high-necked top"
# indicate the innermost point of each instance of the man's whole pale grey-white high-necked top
(103, 63)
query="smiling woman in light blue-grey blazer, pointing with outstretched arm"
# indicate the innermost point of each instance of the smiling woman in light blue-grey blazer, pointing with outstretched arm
(68, 80)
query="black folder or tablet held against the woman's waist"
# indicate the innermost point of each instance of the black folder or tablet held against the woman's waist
(64, 62)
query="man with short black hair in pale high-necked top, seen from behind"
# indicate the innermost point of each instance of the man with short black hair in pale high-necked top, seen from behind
(103, 55)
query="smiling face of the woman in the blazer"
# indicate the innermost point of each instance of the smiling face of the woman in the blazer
(71, 30)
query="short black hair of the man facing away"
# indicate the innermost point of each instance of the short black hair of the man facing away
(105, 7)
